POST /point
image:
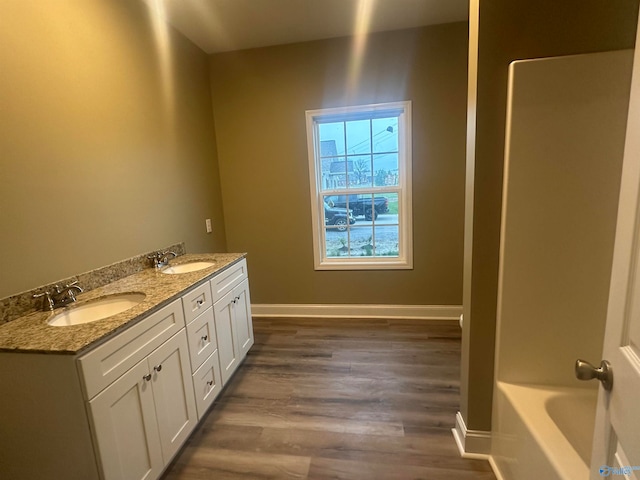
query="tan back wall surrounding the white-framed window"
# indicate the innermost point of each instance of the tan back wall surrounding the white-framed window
(260, 97)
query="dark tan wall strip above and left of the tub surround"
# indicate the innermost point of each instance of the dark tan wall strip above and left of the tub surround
(511, 30)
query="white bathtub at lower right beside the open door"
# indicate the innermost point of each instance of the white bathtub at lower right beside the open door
(543, 432)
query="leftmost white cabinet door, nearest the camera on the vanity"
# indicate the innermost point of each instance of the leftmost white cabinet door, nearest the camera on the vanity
(125, 428)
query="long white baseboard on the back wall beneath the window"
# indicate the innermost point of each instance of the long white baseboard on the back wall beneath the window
(421, 312)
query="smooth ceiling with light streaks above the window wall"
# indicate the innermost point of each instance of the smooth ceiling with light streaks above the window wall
(225, 25)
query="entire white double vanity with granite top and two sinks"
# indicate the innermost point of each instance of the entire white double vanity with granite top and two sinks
(112, 386)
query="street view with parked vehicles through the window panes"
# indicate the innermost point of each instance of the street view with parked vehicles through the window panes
(360, 164)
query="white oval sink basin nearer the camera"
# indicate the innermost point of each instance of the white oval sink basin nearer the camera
(95, 310)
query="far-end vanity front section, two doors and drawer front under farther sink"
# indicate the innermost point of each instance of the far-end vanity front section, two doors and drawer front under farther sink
(232, 312)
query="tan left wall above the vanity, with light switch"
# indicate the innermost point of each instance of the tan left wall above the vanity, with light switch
(106, 152)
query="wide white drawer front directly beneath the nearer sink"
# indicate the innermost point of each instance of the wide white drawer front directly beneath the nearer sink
(106, 363)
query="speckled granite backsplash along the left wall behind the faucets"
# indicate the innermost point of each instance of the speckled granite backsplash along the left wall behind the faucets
(22, 304)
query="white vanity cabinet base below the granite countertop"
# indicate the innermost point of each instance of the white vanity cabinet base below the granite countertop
(121, 410)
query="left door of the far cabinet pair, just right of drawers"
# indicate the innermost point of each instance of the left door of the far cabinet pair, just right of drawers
(227, 344)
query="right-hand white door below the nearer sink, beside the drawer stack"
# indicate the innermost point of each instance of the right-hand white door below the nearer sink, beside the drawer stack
(173, 393)
